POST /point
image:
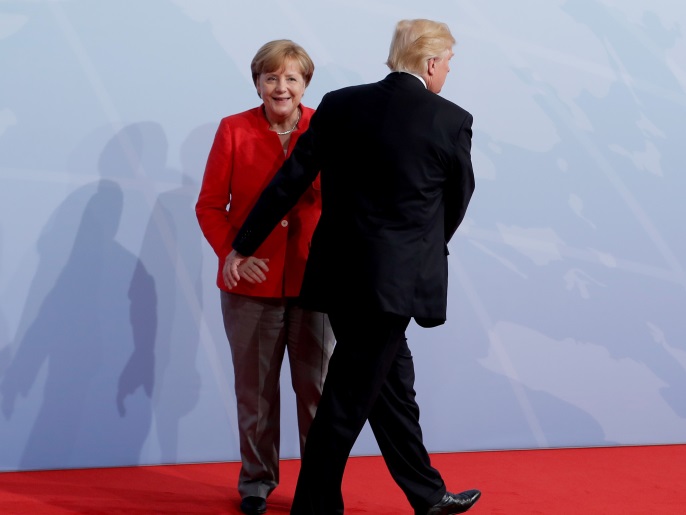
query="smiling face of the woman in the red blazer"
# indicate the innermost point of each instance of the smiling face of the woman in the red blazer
(281, 90)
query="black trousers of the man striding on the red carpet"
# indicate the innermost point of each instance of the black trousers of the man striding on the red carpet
(370, 377)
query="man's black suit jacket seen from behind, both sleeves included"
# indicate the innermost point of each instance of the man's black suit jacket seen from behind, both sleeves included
(396, 178)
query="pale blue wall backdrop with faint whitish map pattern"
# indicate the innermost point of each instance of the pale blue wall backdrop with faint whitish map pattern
(567, 322)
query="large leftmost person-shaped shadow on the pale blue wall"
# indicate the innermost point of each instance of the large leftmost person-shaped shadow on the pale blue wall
(93, 333)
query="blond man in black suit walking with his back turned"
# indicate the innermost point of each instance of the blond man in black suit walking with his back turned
(396, 179)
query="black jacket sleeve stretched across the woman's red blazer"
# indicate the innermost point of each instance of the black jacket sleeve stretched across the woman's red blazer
(280, 195)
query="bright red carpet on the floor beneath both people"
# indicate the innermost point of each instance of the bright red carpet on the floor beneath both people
(615, 480)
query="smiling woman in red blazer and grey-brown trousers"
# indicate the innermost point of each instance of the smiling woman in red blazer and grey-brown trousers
(263, 319)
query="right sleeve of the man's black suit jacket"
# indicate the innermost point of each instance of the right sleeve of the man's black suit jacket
(460, 184)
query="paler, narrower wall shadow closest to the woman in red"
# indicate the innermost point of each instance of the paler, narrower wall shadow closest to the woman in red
(172, 252)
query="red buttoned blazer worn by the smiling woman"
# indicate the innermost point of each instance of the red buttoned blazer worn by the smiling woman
(244, 157)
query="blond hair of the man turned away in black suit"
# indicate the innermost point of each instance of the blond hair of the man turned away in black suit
(415, 42)
